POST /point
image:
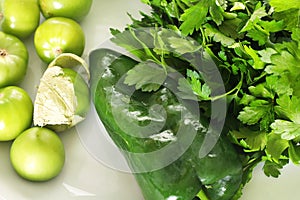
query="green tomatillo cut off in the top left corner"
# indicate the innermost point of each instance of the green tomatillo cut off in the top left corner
(19, 17)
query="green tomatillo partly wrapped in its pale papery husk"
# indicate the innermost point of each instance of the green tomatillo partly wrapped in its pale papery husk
(62, 99)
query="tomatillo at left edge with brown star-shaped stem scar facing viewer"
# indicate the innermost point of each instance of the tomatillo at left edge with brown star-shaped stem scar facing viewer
(13, 60)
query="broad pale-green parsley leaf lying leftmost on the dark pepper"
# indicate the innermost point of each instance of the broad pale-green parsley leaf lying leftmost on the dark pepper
(147, 76)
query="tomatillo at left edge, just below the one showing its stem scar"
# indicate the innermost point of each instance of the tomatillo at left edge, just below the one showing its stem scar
(16, 110)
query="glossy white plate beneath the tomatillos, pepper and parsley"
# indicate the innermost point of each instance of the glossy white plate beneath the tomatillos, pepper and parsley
(84, 176)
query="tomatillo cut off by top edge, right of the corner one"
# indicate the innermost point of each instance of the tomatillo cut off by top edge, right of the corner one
(76, 9)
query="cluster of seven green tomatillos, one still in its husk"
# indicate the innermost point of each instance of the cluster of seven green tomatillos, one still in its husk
(62, 98)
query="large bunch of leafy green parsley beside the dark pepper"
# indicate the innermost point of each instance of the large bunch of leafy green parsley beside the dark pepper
(256, 46)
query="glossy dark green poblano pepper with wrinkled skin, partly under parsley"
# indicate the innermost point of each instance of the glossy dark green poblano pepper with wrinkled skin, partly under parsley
(218, 175)
